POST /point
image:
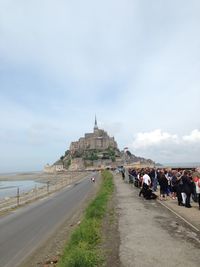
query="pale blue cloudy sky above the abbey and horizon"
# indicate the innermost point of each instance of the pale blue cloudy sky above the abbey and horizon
(133, 63)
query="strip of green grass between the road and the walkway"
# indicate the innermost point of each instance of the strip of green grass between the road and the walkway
(82, 249)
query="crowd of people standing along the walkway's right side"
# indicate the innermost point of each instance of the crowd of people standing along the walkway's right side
(177, 184)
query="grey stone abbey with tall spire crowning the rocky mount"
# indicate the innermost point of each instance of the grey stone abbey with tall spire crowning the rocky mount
(98, 140)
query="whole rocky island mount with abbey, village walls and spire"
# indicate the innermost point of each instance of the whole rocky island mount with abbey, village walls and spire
(95, 150)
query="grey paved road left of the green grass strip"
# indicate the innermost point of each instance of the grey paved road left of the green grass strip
(22, 231)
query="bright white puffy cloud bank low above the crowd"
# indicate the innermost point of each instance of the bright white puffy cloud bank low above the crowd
(166, 147)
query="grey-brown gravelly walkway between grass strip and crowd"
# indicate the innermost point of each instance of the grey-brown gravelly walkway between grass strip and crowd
(151, 235)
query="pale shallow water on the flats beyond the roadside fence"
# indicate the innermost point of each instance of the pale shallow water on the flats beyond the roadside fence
(10, 188)
